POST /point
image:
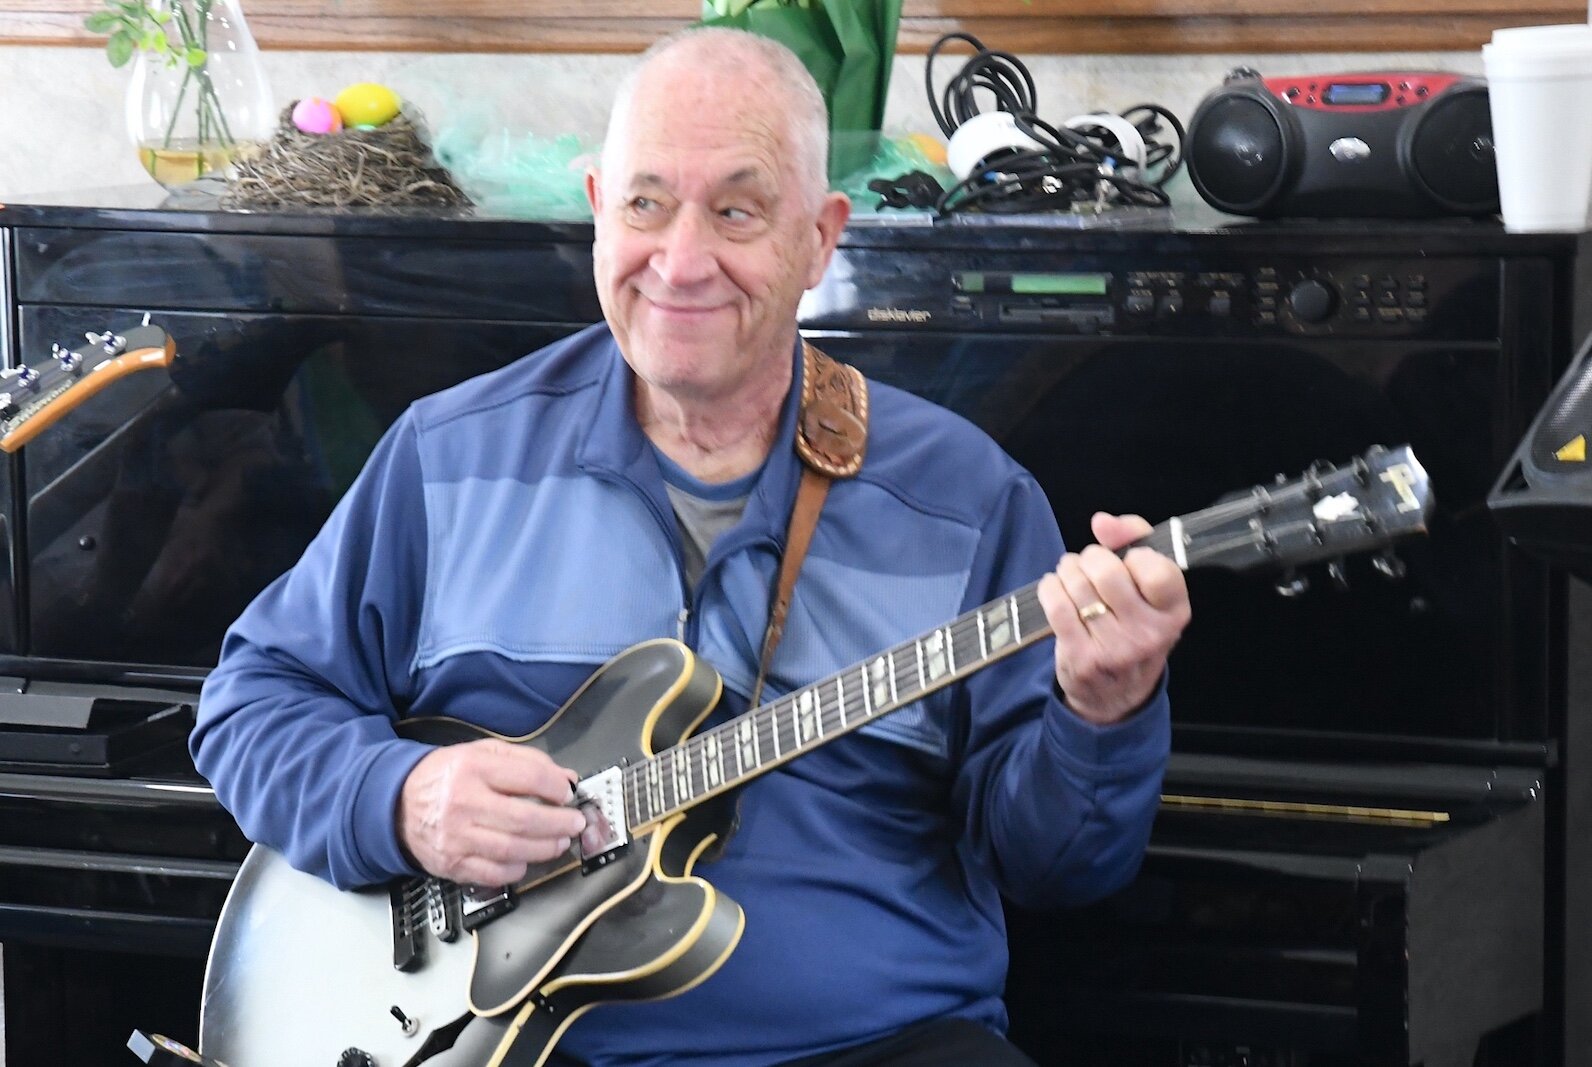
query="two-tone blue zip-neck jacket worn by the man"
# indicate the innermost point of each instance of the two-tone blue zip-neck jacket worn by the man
(512, 534)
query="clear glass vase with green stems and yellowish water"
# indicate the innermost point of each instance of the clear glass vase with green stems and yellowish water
(201, 100)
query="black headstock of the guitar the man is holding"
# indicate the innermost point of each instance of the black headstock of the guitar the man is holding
(1325, 514)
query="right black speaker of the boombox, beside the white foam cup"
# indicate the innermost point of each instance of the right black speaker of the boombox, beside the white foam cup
(1453, 154)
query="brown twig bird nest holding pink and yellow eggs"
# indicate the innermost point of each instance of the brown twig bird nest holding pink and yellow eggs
(389, 166)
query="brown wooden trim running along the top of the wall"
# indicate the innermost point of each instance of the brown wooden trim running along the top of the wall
(1037, 28)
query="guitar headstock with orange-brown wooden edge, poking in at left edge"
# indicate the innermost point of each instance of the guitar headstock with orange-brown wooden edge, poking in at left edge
(34, 397)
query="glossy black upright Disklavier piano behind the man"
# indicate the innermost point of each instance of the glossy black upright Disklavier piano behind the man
(1373, 845)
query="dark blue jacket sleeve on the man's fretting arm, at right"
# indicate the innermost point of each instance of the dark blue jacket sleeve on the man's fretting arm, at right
(1056, 808)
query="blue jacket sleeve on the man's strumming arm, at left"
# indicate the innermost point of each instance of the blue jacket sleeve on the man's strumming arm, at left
(295, 725)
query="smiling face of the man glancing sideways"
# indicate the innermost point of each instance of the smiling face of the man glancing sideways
(704, 235)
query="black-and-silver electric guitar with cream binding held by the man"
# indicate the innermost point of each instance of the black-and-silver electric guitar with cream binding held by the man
(429, 972)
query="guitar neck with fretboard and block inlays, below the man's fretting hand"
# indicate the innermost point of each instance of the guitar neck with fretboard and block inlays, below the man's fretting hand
(792, 725)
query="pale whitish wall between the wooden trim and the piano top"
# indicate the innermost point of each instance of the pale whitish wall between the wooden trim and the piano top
(63, 128)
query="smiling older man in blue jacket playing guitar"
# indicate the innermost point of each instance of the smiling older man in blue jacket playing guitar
(638, 482)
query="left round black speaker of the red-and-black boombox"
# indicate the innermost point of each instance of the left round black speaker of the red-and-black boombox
(1236, 154)
